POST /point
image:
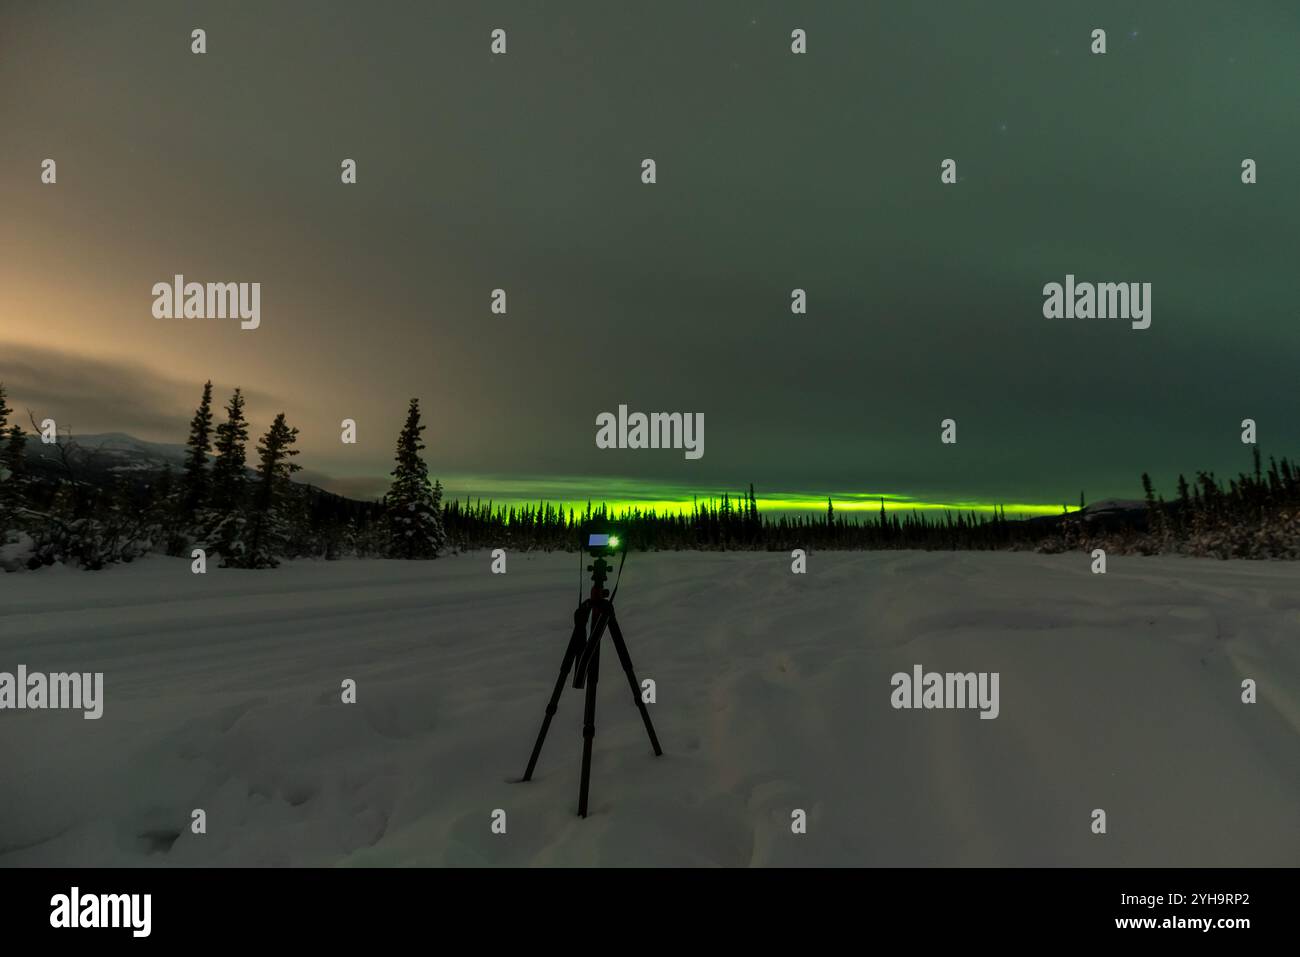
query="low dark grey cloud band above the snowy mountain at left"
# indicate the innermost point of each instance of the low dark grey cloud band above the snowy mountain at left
(94, 396)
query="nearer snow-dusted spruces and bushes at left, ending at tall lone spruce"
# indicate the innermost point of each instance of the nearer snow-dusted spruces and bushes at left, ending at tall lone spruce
(245, 514)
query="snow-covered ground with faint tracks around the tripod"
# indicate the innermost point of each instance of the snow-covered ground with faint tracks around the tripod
(223, 692)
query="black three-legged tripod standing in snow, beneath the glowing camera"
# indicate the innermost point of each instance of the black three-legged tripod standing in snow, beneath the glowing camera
(584, 657)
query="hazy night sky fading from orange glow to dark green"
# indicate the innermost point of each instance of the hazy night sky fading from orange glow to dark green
(774, 172)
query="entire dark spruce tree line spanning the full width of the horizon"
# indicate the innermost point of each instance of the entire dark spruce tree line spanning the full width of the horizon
(252, 514)
